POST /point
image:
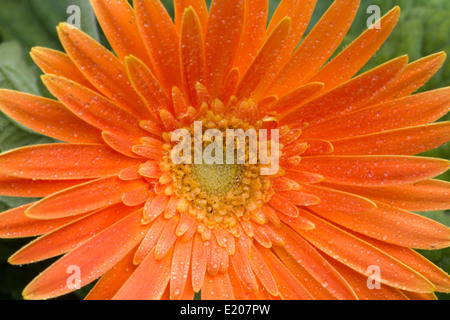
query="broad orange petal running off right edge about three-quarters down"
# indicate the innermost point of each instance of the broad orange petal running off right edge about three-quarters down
(411, 230)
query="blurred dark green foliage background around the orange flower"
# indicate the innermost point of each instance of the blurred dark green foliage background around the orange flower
(423, 29)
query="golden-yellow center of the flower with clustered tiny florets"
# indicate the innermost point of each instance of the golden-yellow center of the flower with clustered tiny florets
(219, 193)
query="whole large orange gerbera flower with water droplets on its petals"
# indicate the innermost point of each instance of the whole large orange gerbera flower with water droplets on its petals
(118, 208)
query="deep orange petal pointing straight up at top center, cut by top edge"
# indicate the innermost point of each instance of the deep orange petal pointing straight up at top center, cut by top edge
(225, 22)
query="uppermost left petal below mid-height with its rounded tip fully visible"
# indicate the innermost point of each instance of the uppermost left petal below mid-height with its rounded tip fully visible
(83, 198)
